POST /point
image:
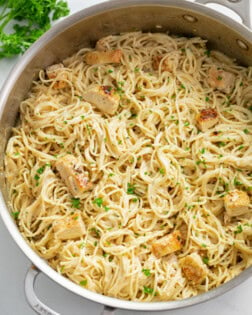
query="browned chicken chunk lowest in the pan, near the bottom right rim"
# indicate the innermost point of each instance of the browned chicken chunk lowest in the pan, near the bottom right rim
(193, 268)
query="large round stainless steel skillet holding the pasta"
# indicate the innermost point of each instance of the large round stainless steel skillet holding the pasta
(81, 30)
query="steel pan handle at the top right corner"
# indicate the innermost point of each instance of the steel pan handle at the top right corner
(241, 7)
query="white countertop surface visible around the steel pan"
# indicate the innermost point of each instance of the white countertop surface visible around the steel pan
(14, 264)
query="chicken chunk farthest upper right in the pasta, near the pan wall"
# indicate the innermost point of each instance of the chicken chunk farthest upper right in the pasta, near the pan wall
(220, 79)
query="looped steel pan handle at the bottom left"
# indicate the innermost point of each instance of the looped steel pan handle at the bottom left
(39, 307)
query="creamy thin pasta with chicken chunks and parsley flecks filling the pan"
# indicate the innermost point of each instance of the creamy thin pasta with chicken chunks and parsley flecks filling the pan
(157, 221)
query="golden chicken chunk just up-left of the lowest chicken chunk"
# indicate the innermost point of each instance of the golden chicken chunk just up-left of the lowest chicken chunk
(167, 244)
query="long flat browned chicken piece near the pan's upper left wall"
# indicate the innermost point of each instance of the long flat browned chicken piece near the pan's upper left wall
(103, 57)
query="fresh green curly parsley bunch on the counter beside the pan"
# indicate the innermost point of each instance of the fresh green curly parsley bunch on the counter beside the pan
(32, 20)
